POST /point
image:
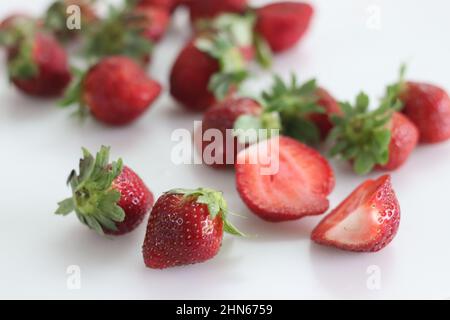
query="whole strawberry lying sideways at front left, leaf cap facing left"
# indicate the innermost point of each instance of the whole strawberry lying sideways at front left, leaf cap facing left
(108, 198)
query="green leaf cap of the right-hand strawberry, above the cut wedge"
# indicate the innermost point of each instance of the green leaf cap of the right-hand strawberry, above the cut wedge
(363, 136)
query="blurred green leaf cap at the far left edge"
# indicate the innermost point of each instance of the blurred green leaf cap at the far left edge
(20, 37)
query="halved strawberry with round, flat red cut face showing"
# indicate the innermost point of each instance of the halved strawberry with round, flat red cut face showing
(282, 179)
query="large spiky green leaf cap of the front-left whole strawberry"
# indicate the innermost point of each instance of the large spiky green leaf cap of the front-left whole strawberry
(94, 200)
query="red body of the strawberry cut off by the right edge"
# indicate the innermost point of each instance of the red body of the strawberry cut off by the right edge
(428, 106)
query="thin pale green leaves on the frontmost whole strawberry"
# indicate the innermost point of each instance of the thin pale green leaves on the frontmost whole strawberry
(215, 202)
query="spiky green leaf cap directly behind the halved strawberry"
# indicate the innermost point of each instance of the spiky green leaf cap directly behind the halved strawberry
(295, 103)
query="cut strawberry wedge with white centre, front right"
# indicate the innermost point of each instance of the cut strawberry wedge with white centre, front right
(367, 221)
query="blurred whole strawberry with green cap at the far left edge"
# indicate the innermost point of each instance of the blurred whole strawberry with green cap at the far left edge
(37, 63)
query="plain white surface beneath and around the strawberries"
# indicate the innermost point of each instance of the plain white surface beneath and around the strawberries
(40, 144)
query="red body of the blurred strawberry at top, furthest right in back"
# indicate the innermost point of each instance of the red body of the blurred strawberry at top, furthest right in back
(283, 24)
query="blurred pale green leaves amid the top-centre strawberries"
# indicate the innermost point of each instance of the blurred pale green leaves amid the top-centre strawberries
(223, 39)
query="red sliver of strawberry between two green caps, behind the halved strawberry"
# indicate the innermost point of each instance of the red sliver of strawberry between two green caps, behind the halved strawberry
(331, 106)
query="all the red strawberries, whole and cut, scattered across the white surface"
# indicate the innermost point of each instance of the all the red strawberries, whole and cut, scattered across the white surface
(187, 226)
